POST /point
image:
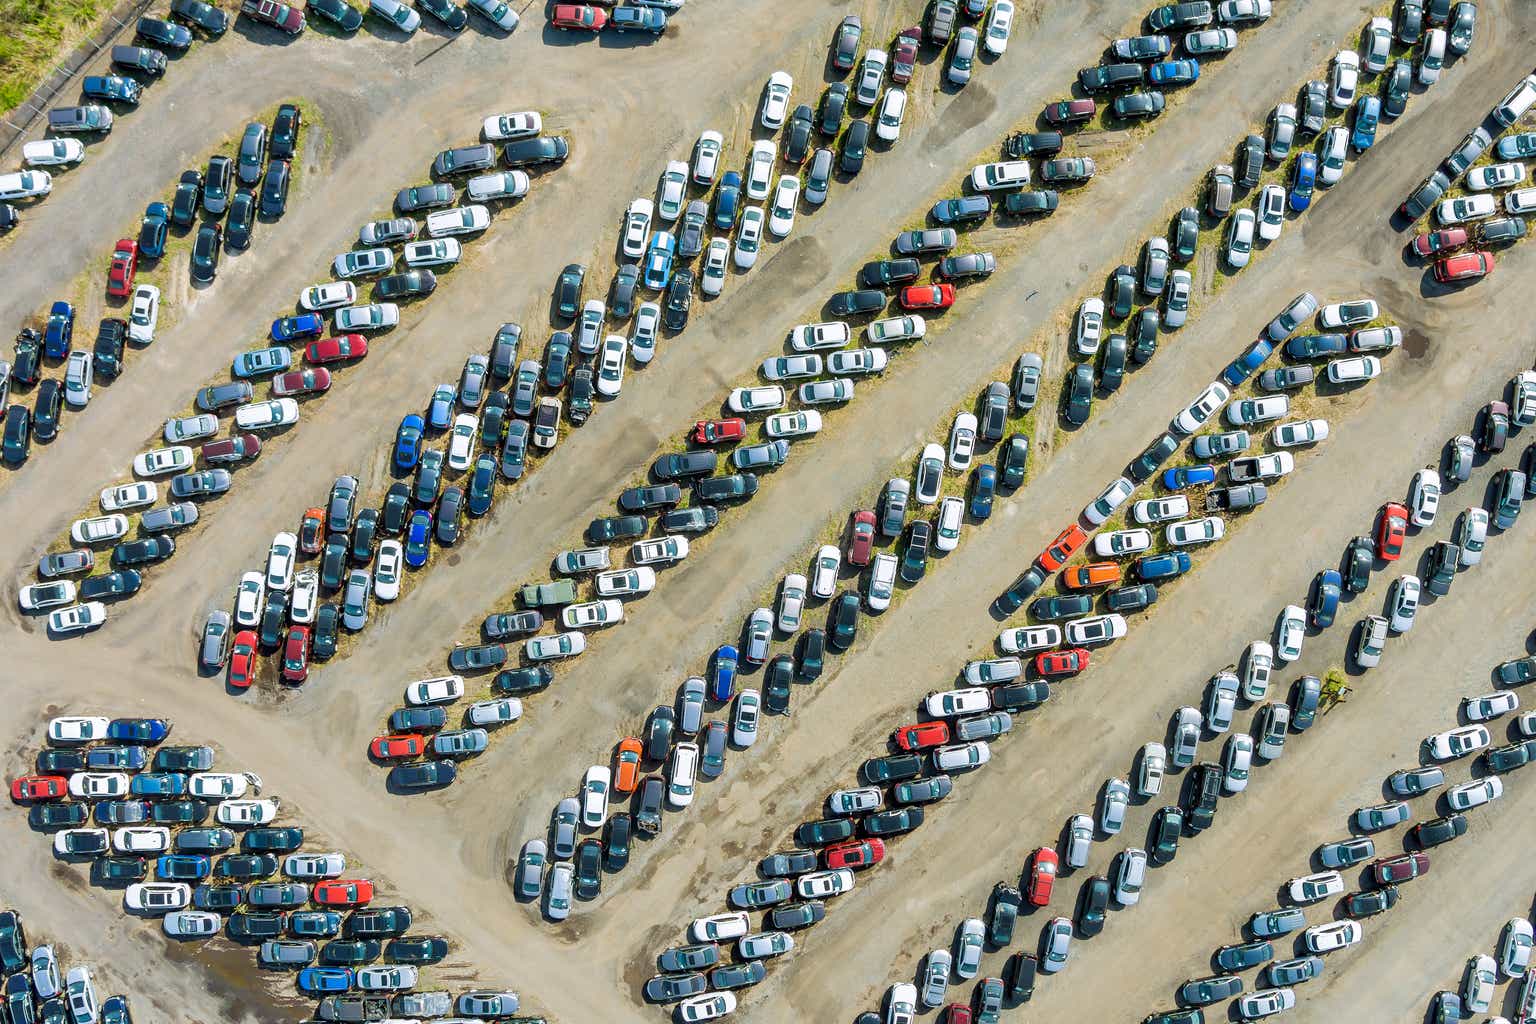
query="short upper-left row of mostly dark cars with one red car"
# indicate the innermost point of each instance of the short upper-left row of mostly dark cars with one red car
(231, 187)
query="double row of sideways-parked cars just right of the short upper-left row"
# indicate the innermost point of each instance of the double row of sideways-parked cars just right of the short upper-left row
(194, 457)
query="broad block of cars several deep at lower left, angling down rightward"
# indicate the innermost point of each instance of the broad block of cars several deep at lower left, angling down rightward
(205, 853)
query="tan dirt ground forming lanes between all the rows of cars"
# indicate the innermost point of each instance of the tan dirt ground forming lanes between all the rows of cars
(627, 113)
